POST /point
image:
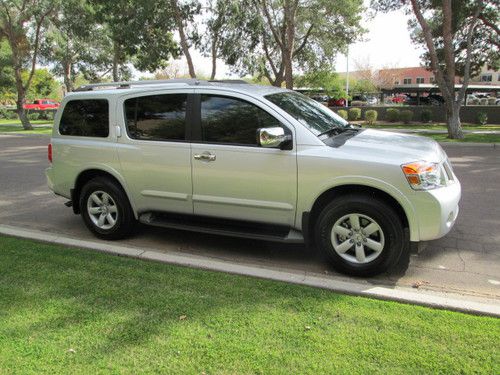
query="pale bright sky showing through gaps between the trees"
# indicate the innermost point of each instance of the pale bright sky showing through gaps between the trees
(387, 44)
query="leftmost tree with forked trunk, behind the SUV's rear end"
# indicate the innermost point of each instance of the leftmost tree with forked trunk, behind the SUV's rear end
(22, 24)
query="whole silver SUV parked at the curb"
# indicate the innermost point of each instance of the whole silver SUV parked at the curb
(261, 162)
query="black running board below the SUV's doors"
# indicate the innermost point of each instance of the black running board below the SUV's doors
(223, 227)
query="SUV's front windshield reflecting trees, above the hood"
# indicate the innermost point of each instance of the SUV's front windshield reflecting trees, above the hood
(315, 116)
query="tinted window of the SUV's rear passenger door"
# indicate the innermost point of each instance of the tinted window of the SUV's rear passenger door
(157, 117)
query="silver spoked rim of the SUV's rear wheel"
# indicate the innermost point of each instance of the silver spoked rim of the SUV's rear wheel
(102, 210)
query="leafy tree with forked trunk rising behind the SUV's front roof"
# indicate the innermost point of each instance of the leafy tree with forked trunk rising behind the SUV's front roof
(282, 35)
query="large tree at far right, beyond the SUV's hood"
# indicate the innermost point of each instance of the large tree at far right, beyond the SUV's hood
(449, 31)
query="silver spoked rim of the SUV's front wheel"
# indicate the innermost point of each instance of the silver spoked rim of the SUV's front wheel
(357, 238)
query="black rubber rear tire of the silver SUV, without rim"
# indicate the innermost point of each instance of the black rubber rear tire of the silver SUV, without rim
(125, 220)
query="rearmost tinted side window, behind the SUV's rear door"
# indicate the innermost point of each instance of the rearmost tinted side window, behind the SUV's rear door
(85, 118)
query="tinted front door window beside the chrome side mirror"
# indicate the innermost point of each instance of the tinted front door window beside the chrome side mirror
(230, 120)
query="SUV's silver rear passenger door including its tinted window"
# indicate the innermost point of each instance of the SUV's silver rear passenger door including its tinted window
(154, 150)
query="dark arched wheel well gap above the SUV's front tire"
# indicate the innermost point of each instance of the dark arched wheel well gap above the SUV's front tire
(337, 191)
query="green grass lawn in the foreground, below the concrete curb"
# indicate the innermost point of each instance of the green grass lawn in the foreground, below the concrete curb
(81, 312)
